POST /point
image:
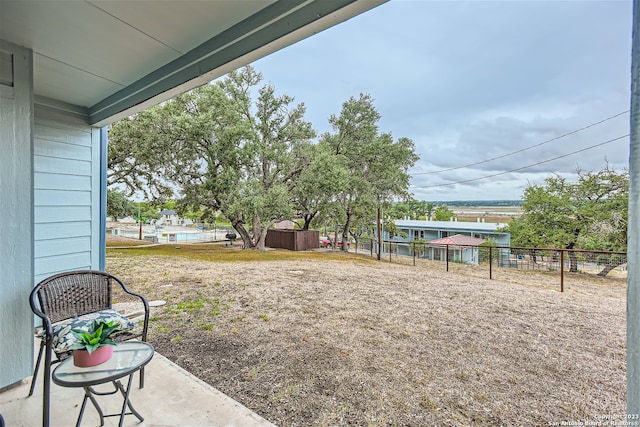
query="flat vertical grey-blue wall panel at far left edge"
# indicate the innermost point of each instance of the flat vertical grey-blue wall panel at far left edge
(16, 195)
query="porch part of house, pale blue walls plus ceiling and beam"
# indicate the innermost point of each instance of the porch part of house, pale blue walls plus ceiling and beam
(70, 68)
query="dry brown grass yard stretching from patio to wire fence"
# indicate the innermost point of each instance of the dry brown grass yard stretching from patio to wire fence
(331, 342)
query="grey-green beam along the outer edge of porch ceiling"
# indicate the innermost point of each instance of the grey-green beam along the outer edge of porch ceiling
(274, 27)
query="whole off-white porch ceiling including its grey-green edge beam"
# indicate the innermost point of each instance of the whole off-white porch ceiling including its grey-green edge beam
(105, 59)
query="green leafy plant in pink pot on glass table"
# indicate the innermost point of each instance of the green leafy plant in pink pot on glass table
(94, 346)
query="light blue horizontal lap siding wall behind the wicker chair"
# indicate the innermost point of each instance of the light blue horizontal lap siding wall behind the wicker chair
(66, 194)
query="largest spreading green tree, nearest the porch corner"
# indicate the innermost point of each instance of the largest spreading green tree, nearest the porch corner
(226, 148)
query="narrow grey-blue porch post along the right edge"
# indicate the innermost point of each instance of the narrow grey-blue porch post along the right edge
(633, 245)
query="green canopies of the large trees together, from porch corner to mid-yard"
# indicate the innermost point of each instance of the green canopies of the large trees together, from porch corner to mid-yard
(241, 150)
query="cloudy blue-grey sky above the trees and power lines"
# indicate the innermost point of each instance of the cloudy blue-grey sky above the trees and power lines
(474, 81)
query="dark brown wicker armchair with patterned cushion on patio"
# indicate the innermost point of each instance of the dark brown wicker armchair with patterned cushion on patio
(64, 300)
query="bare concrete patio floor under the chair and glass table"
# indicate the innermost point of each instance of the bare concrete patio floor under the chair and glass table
(171, 397)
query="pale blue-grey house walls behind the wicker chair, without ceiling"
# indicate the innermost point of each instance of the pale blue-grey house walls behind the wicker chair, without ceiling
(51, 165)
